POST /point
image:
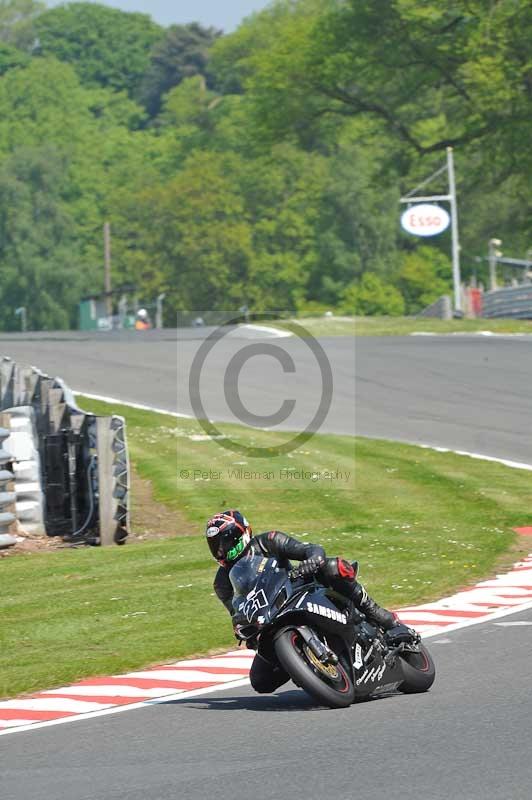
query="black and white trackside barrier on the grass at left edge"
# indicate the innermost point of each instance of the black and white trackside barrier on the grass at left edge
(71, 468)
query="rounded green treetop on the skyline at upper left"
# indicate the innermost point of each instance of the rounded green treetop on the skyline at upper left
(106, 47)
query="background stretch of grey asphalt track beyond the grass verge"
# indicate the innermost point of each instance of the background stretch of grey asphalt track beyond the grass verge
(466, 393)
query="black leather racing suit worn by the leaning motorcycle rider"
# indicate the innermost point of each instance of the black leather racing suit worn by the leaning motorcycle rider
(264, 676)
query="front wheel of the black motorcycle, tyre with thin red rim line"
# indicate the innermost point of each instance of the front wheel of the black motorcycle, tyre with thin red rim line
(329, 684)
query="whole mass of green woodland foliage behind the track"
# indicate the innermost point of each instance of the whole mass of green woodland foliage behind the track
(264, 167)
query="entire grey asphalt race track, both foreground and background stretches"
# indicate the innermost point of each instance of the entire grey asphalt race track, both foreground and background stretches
(468, 738)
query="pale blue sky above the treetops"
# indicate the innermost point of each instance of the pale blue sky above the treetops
(224, 14)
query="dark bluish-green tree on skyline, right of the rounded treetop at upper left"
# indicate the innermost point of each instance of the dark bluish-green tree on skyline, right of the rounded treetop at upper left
(182, 53)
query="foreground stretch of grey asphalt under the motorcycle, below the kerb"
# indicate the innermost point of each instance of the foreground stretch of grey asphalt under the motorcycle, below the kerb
(466, 739)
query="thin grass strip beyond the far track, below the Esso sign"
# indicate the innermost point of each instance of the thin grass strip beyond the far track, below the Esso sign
(401, 326)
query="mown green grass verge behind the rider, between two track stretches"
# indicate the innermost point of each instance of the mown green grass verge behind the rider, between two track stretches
(422, 524)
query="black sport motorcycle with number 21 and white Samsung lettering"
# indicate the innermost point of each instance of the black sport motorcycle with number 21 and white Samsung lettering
(324, 643)
